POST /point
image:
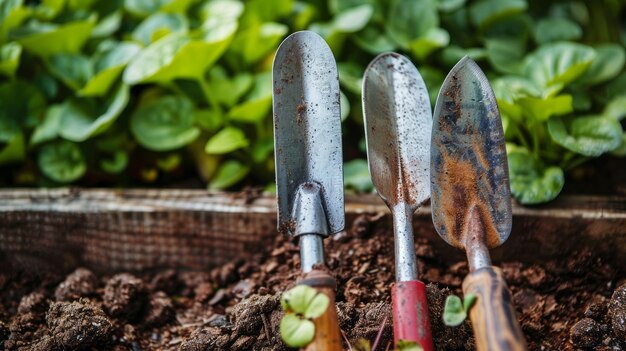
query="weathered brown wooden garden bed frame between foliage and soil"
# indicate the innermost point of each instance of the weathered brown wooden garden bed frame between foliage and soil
(137, 229)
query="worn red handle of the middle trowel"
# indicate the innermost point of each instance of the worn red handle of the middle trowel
(410, 313)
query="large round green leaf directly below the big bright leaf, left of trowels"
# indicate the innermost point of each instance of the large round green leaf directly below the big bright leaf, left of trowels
(164, 124)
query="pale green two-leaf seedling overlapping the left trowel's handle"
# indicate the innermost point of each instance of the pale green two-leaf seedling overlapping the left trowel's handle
(301, 305)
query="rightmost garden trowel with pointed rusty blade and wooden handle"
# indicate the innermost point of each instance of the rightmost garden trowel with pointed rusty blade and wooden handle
(471, 200)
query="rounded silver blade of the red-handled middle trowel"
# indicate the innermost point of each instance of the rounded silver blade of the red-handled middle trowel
(398, 122)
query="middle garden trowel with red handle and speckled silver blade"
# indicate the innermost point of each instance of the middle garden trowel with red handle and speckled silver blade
(398, 122)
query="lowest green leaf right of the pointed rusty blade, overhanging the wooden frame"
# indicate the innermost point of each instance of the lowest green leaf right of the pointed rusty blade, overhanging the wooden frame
(531, 181)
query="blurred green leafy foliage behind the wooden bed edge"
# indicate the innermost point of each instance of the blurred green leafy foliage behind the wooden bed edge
(138, 92)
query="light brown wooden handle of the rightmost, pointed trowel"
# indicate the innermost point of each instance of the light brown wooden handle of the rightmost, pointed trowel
(493, 316)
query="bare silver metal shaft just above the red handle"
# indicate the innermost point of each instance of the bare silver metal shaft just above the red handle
(404, 247)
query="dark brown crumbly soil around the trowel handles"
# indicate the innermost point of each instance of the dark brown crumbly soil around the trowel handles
(564, 304)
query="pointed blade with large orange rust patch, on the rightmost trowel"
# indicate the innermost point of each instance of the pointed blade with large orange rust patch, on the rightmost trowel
(469, 169)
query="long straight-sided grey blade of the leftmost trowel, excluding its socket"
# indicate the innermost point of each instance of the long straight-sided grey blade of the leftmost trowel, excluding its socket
(307, 128)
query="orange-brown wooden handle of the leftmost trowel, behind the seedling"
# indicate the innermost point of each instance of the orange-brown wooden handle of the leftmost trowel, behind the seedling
(327, 333)
